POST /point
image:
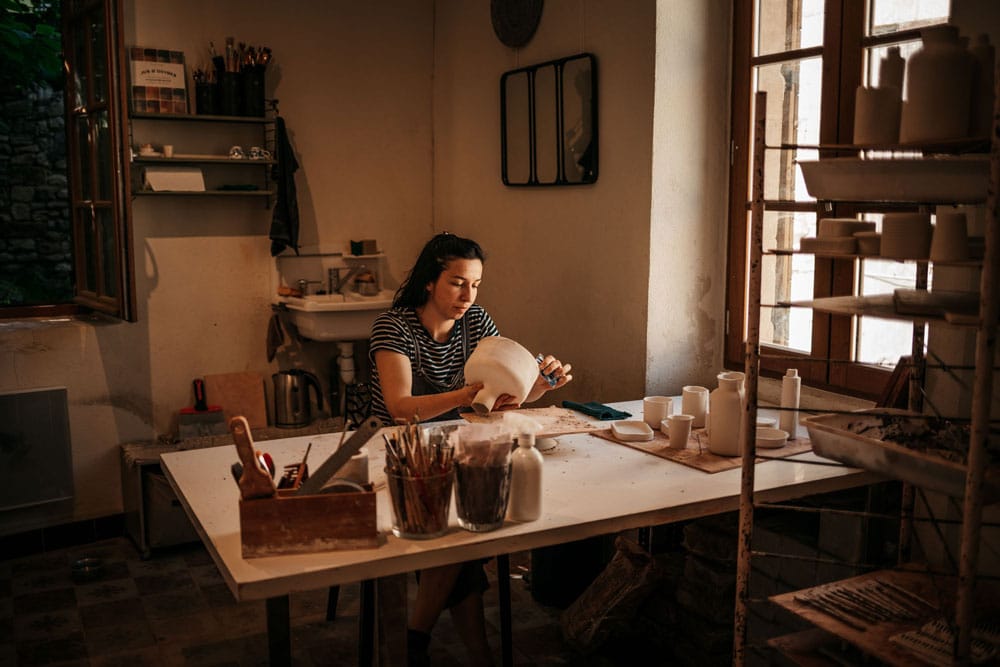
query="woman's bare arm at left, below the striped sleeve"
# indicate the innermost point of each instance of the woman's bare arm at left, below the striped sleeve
(396, 377)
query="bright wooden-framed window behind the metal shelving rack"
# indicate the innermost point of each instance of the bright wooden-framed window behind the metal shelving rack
(810, 56)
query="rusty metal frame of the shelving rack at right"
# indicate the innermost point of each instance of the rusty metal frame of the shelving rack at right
(985, 354)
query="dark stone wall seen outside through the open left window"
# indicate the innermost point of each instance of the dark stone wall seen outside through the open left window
(36, 263)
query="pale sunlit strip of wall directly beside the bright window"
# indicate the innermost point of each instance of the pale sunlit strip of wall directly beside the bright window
(687, 240)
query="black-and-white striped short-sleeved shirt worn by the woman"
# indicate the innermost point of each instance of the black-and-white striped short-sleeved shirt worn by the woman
(441, 365)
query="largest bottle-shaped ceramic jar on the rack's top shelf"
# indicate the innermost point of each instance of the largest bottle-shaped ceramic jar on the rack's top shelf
(938, 88)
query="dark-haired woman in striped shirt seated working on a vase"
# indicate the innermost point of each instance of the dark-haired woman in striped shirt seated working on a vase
(418, 353)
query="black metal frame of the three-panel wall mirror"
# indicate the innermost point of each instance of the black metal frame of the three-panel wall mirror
(558, 65)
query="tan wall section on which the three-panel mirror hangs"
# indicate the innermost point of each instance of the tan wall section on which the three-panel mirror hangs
(566, 270)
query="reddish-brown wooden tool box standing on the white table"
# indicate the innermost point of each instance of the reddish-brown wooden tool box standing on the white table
(290, 524)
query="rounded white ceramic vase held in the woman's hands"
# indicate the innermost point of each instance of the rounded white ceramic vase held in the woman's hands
(503, 366)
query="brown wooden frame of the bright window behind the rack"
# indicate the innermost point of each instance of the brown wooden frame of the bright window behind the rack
(828, 363)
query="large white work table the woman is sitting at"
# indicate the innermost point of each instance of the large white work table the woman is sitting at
(591, 486)
